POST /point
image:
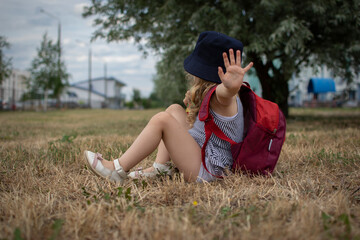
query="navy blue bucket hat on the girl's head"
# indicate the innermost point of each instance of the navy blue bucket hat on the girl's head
(207, 55)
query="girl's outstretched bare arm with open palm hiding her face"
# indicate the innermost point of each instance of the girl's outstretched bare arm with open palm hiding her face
(223, 101)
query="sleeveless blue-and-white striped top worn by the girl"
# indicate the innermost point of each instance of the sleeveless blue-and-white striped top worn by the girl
(218, 152)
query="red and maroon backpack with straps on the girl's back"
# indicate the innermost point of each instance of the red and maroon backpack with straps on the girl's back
(264, 133)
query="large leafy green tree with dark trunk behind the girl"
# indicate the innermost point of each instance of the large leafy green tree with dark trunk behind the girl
(280, 37)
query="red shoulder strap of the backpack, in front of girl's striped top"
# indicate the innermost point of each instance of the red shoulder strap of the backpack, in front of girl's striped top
(210, 126)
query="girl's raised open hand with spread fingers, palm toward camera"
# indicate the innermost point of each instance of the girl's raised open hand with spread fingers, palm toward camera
(233, 78)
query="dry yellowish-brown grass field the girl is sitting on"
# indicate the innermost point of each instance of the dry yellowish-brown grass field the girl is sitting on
(46, 191)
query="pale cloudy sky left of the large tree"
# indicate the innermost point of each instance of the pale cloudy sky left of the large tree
(23, 24)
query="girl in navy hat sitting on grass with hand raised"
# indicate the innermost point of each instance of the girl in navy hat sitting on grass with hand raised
(179, 136)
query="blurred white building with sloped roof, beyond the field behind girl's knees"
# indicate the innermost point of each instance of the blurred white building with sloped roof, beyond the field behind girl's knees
(105, 93)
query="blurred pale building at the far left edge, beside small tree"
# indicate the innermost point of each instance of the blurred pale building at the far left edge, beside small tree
(12, 89)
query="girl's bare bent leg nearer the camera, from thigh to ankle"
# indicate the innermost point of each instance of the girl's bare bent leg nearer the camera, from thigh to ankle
(181, 147)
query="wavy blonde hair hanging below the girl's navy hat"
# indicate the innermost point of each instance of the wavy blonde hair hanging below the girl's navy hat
(199, 88)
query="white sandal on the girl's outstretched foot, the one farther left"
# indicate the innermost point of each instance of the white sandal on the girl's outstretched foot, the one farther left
(93, 161)
